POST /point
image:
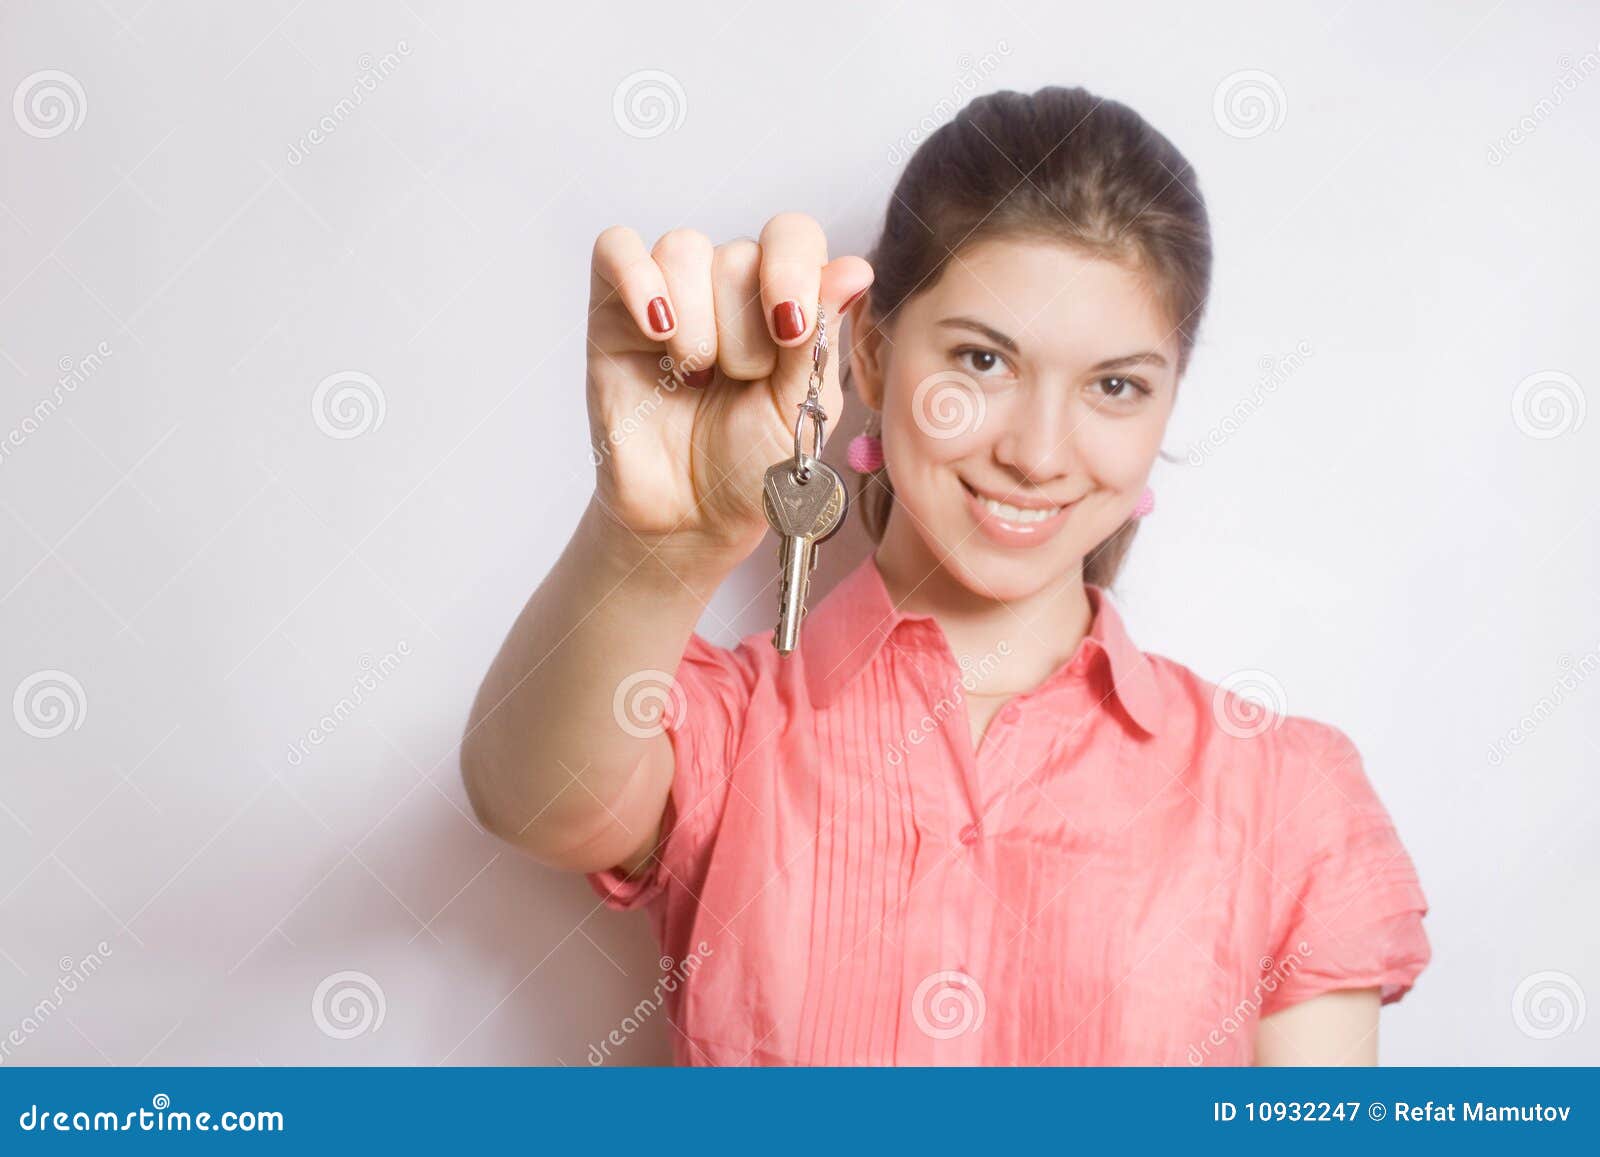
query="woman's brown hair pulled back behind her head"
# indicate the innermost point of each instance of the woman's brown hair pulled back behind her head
(1063, 166)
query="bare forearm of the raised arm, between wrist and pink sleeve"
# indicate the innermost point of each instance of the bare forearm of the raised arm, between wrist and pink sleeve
(545, 756)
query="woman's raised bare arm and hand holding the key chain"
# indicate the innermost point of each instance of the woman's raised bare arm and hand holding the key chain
(686, 362)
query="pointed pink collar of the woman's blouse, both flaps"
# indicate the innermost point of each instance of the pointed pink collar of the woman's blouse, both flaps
(849, 628)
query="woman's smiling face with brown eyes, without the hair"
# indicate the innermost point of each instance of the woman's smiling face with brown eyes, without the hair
(1025, 398)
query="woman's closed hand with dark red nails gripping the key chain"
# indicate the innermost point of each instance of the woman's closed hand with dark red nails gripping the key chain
(698, 358)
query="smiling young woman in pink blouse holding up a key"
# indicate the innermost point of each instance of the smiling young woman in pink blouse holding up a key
(967, 822)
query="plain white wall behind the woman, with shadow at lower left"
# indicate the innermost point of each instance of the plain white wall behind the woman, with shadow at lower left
(1404, 542)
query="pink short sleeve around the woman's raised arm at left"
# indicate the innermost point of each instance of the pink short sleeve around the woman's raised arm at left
(705, 718)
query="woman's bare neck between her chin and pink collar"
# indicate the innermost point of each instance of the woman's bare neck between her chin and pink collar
(1015, 643)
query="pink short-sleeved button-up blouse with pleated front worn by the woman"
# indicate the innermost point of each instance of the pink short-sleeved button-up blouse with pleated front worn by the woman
(1134, 868)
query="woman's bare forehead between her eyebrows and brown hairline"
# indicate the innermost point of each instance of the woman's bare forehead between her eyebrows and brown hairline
(1052, 297)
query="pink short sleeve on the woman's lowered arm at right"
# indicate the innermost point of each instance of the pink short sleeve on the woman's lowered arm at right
(1348, 910)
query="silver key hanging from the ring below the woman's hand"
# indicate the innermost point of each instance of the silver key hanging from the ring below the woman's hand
(806, 514)
